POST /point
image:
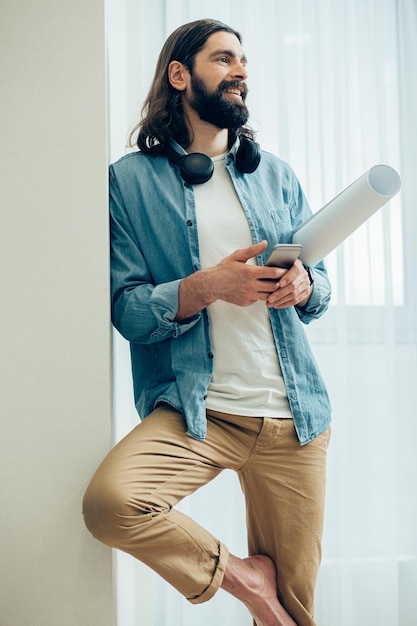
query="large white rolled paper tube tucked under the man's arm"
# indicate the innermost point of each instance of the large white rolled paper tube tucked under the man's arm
(340, 217)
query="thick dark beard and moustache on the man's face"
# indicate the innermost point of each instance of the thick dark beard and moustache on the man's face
(214, 108)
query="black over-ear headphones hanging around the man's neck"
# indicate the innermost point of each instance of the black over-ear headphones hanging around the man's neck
(197, 168)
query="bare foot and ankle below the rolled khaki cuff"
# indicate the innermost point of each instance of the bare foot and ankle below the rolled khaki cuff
(253, 581)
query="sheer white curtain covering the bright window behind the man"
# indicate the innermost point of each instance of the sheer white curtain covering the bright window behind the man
(332, 91)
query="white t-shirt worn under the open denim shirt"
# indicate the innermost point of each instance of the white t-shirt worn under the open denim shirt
(247, 378)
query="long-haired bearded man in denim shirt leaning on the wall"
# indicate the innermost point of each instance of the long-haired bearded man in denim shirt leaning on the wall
(223, 375)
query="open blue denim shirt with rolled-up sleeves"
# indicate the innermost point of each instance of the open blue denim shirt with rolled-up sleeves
(154, 245)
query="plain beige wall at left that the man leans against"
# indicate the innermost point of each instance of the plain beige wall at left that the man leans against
(54, 354)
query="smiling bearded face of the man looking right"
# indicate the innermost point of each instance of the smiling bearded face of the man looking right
(218, 87)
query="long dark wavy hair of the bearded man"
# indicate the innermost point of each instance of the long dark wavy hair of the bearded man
(162, 116)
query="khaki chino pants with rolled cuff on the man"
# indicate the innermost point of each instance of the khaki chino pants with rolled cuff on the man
(130, 501)
